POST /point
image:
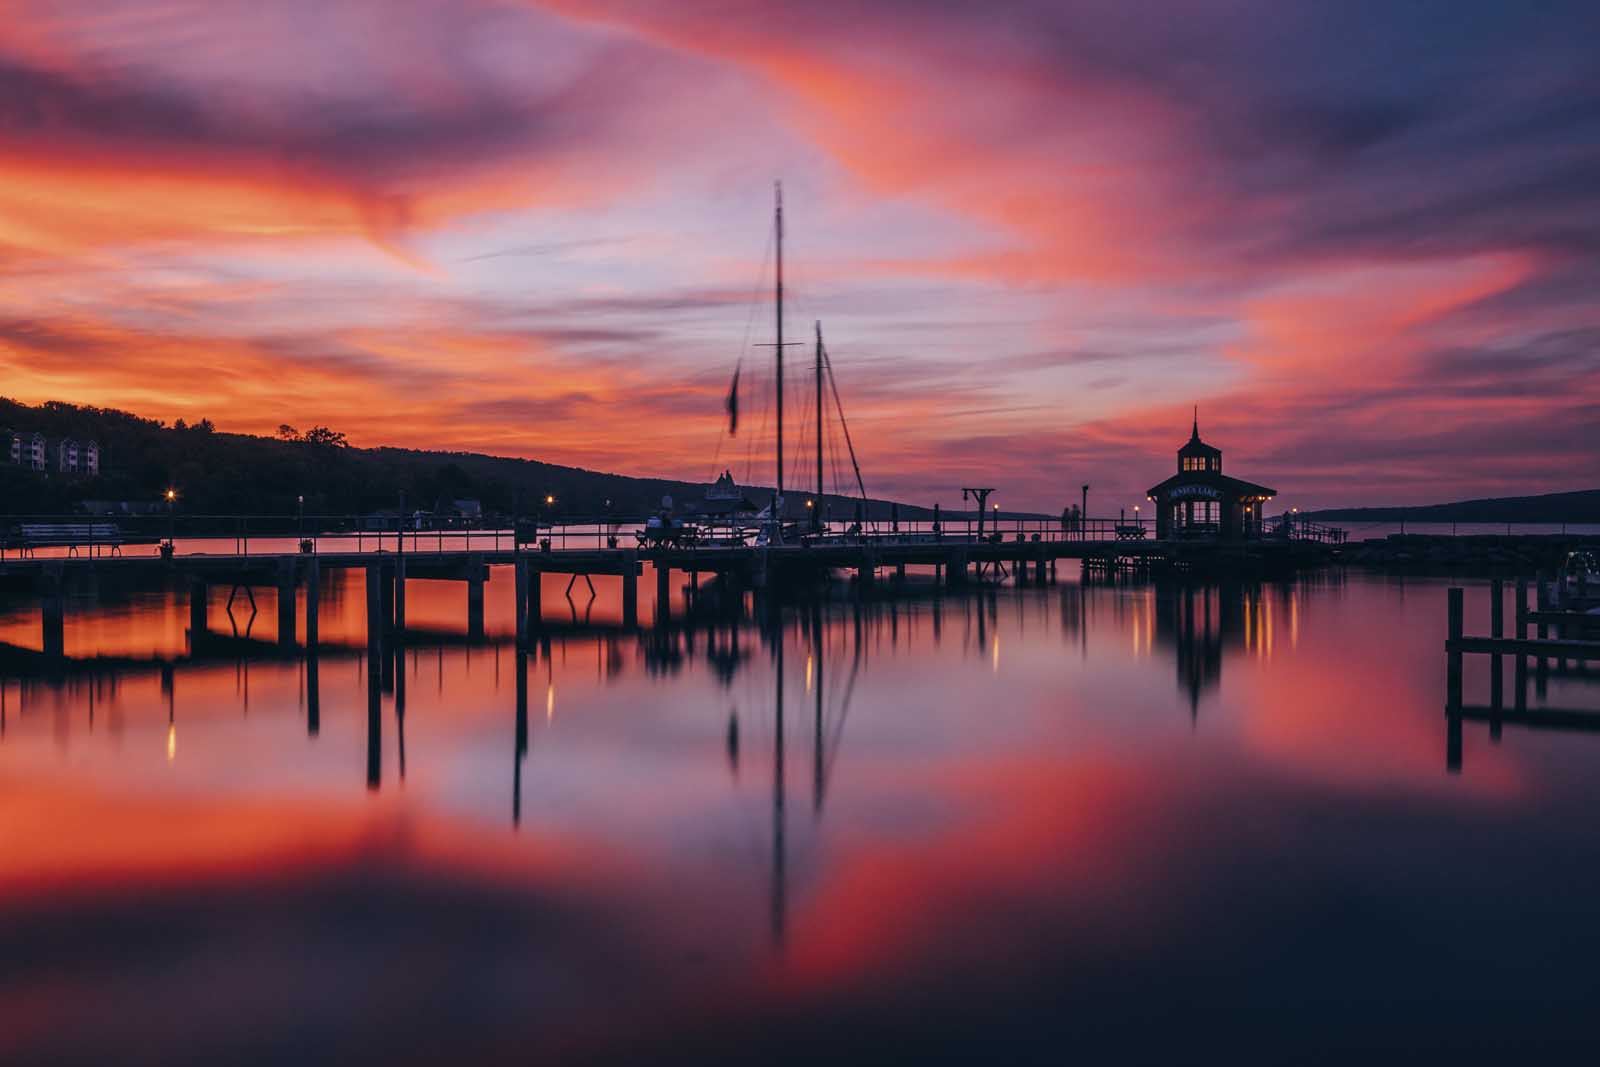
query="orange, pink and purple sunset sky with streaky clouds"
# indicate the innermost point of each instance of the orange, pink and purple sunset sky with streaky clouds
(1362, 238)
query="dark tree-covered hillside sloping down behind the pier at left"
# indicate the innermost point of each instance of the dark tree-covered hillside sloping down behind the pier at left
(228, 474)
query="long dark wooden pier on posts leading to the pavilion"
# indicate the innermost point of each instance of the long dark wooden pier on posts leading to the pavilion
(1023, 556)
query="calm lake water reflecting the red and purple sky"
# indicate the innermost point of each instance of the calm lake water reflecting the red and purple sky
(1134, 823)
